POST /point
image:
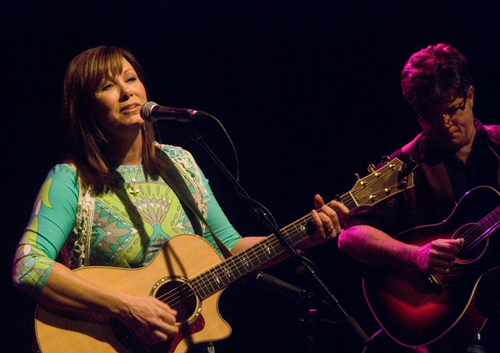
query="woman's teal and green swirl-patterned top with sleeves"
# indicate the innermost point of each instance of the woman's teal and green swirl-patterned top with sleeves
(125, 232)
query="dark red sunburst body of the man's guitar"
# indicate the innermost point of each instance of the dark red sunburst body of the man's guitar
(443, 313)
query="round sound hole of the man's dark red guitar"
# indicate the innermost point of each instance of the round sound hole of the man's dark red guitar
(473, 247)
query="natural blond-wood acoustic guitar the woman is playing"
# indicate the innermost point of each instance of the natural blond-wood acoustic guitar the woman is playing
(189, 275)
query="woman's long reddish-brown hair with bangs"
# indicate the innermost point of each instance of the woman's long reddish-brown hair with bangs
(86, 140)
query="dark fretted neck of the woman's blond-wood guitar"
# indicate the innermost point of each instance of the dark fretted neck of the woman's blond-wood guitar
(220, 276)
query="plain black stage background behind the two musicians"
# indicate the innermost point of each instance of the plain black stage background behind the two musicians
(309, 92)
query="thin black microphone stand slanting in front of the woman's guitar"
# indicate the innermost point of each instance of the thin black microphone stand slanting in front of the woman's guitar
(304, 264)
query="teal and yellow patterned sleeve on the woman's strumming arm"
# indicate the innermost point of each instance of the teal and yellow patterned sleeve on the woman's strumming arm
(50, 224)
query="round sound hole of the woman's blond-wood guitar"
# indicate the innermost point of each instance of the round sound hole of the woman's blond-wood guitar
(179, 296)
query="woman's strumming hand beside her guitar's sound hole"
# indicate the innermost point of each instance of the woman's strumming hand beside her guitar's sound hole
(151, 320)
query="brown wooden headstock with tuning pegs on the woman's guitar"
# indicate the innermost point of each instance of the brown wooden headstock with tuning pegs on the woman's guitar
(382, 183)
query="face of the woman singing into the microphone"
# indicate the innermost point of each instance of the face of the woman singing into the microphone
(119, 100)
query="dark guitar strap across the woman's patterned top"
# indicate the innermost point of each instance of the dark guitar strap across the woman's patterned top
(173, 177)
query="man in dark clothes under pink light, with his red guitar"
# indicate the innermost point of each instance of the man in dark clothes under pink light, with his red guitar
(454, 153)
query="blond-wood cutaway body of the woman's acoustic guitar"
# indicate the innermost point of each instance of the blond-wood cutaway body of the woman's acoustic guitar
(181, 258)
